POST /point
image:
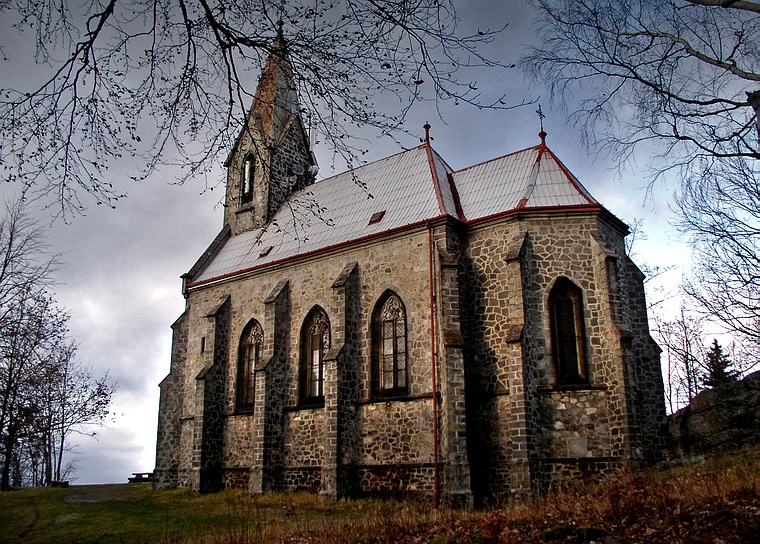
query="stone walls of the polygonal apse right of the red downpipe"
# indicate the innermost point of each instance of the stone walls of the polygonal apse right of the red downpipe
(512, 394)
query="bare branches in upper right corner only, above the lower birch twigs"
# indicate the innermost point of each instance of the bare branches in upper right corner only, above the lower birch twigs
(677, 73)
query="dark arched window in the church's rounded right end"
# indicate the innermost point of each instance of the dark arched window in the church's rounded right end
(568, 333)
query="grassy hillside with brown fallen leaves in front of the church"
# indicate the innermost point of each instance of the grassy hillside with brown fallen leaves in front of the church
(716, 501)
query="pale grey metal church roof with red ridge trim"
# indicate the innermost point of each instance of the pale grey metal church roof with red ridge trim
(410, 187)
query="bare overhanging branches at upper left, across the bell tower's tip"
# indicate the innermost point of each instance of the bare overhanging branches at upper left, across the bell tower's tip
(169, 81)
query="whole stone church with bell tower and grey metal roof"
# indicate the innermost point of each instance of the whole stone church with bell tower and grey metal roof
(405, 328)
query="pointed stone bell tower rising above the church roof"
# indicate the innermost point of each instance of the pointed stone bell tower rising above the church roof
(271, 157)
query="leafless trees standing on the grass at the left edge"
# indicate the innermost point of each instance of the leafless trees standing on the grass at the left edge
(45, 392)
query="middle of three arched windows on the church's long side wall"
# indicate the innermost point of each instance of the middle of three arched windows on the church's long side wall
(315, 343)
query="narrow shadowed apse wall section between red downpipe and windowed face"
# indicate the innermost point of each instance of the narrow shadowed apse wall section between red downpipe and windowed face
(493, 326)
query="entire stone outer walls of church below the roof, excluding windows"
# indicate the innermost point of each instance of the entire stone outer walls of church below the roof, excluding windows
(504, 425)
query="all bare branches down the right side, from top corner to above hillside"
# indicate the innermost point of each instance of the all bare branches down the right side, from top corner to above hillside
(679, 81)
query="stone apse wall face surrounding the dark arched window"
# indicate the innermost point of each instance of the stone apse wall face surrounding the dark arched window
(582, 422)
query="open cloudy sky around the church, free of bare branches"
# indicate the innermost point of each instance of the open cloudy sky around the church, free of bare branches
(120, 279)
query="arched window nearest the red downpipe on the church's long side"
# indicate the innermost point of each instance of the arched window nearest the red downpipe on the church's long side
(389, 360)
